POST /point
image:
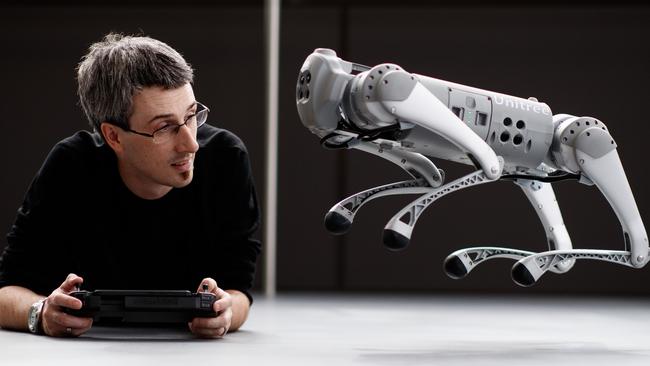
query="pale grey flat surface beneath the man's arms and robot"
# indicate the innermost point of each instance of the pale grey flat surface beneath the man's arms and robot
(335, 330)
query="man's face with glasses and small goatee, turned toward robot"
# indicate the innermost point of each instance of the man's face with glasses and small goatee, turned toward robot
(150, 169)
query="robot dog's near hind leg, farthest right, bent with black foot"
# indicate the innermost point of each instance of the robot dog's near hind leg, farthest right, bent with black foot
(584, 145)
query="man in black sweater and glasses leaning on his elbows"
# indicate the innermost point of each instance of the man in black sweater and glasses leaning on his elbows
(150, 200)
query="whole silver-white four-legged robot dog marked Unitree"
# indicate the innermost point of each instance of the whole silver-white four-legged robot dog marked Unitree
(407, 118)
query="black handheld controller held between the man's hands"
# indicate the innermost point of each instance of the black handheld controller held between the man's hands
(135, 306)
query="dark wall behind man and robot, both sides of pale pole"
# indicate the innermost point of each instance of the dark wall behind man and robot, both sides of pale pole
(590, 61)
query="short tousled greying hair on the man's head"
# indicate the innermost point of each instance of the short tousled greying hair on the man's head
(117, 67)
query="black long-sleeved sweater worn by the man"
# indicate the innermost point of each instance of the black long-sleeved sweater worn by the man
(79, 217)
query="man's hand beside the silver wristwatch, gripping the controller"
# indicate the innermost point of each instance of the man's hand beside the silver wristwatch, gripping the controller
(56, 323)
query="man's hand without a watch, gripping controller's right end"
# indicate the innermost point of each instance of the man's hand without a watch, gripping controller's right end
(214, 327)
